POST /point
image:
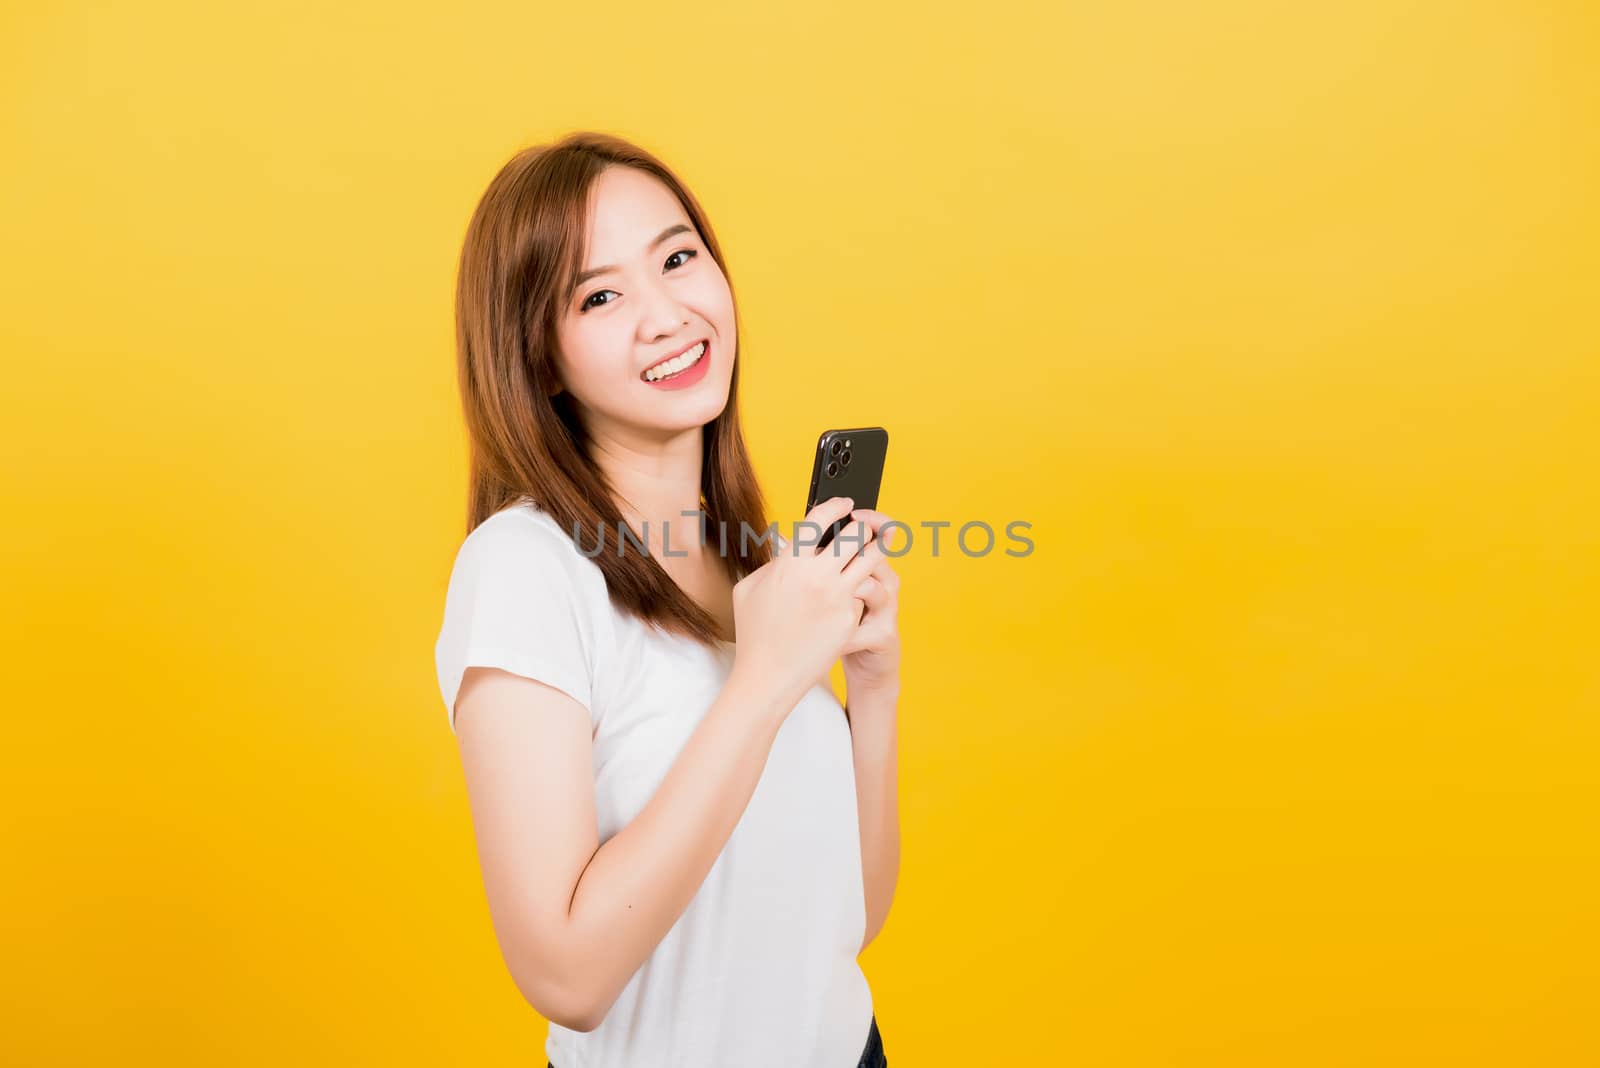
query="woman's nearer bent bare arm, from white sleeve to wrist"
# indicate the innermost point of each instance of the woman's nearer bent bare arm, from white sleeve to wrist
(577, 920)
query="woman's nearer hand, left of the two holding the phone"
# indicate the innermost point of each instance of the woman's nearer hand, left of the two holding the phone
(794, 615)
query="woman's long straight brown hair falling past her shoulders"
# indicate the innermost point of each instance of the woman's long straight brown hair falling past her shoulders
(521, 255)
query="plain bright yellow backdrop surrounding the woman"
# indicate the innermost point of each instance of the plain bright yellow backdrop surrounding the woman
(1276, 321)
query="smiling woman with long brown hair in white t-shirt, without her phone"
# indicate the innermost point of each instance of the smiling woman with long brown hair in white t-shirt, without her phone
(686, 840)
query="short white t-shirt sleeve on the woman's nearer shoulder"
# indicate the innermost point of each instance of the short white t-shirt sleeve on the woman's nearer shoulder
(519, 602)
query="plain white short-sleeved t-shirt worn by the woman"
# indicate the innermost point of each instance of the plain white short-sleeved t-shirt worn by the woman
(761, 968)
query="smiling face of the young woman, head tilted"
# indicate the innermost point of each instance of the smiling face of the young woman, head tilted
(658, 295)
